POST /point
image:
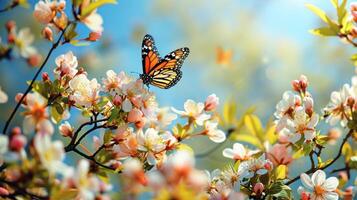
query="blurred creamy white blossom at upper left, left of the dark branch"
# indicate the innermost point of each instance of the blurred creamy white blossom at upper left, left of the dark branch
(23, 41)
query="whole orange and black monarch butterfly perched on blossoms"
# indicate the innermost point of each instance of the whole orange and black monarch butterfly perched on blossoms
(161, 72)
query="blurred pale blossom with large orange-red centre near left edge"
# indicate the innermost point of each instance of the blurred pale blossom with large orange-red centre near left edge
(36, 115)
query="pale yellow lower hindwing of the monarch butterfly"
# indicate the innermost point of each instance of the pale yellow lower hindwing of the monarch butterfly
(166, 77)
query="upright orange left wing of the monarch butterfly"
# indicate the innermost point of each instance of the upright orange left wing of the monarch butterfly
(149, 53)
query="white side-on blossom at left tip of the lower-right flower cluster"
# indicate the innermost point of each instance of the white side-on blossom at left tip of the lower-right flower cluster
(239, 152)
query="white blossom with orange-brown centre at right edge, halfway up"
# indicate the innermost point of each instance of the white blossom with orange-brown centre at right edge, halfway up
(337, 108)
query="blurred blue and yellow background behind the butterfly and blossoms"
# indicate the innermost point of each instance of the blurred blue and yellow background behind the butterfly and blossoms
(247, 51)
